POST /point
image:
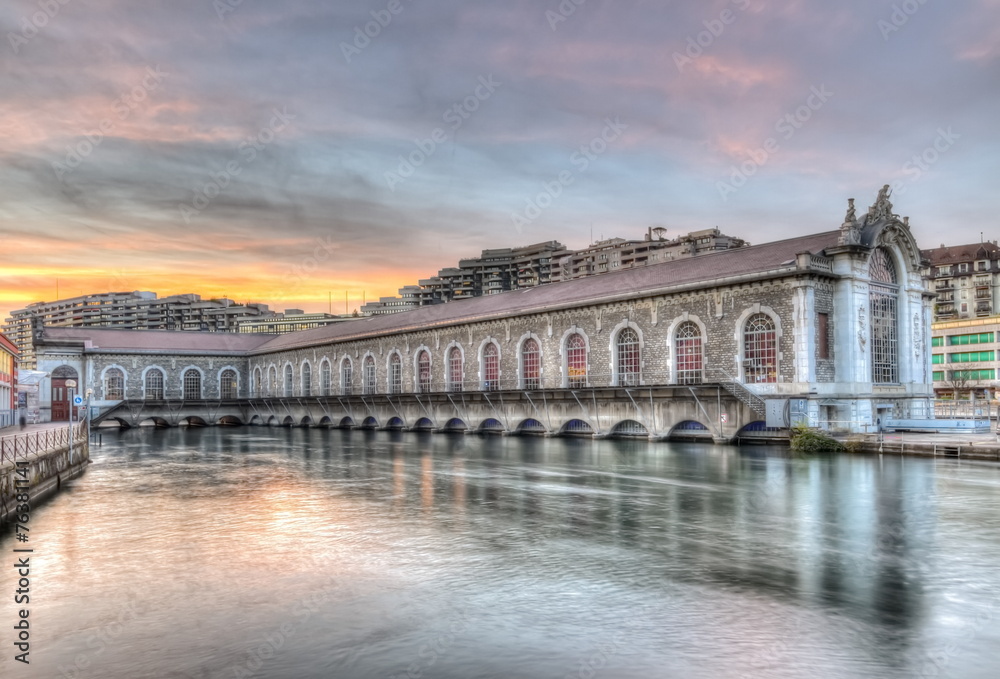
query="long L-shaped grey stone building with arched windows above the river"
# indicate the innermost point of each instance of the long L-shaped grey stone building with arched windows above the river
(835, 325)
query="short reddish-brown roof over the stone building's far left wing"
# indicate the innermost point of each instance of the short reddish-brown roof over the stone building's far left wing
(174, 341)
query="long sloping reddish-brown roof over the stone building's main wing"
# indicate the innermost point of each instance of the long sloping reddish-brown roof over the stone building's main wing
(700, 271)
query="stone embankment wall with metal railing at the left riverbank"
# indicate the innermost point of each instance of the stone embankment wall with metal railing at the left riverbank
(44, 460)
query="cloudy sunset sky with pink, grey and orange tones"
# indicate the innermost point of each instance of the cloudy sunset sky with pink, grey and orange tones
(293, 152)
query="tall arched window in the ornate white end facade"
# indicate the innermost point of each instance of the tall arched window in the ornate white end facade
(884, 300)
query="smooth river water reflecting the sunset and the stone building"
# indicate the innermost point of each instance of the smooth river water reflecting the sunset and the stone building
(299, 553)
